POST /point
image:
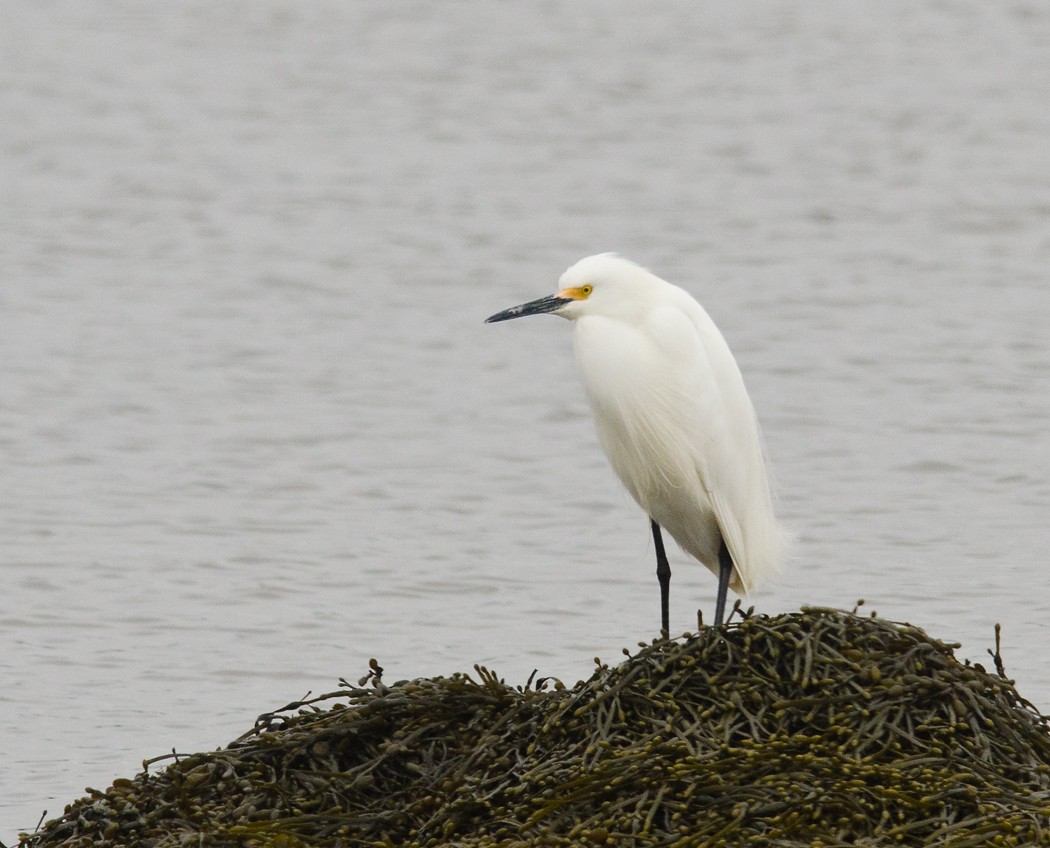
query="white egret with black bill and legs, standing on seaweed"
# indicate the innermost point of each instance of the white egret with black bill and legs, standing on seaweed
(674, 417)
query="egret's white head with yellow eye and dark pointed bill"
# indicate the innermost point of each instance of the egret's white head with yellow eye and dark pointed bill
(604, 284)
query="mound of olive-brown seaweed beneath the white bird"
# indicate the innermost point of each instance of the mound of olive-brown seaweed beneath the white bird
(821, 728)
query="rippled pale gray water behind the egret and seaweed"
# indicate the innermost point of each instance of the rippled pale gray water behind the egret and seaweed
(255, 432)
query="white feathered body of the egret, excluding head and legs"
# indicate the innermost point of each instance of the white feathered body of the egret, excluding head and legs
(675, 419)
